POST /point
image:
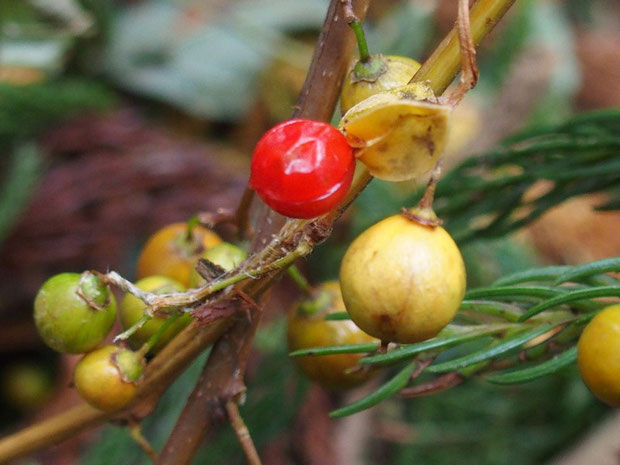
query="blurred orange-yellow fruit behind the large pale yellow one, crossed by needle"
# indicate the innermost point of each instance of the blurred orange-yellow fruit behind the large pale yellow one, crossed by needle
(307, 328)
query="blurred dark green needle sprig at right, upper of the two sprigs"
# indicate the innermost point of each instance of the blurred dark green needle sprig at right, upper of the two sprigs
(483, 197)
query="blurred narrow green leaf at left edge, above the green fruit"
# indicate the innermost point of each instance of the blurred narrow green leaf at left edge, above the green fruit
(17, 186)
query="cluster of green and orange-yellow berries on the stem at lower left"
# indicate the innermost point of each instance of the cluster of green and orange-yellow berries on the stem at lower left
(74, 313)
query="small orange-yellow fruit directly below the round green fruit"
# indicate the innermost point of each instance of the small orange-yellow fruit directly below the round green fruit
(108, 378)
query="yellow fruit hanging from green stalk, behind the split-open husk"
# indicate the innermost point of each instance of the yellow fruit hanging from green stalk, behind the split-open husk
(397, 72)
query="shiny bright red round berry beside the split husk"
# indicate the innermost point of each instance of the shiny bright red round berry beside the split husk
(302, 168)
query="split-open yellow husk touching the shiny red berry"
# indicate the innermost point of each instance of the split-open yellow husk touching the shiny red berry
(398, 134)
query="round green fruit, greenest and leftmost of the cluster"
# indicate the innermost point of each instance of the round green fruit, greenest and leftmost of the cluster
(65, 321)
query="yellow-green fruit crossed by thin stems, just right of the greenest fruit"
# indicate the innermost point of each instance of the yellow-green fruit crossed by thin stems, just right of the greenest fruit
(132, 309)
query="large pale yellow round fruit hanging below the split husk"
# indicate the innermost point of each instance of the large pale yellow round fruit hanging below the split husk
(402, 281)
